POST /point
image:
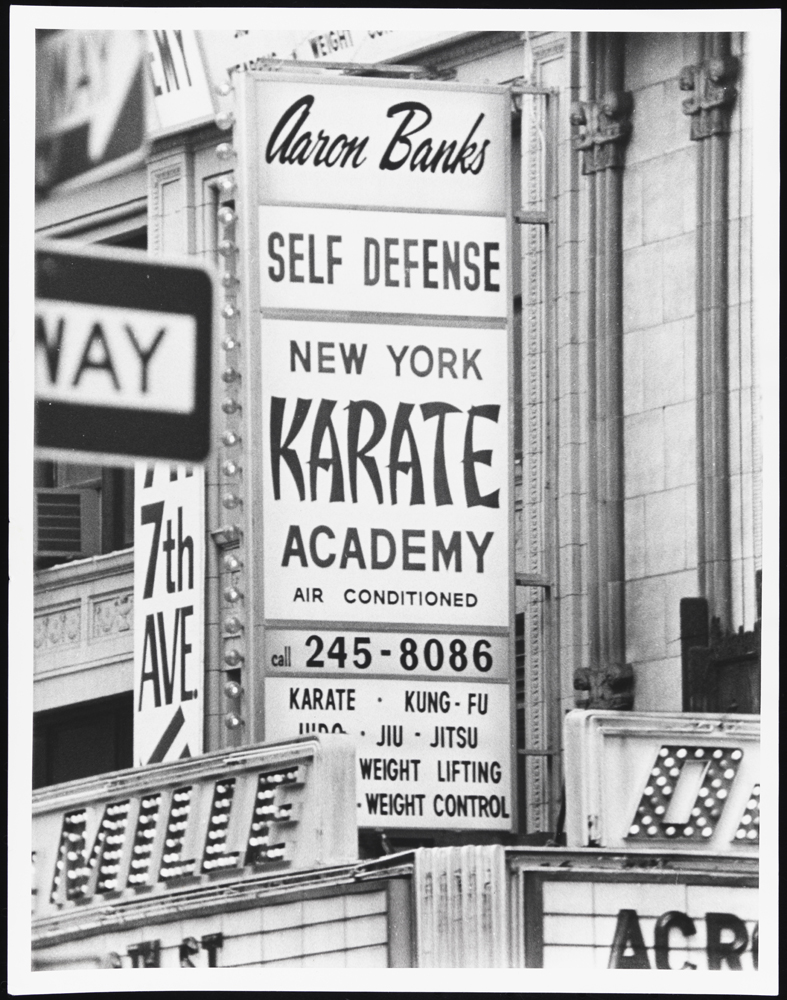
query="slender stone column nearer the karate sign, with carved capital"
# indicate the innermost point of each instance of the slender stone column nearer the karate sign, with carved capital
(604, 127)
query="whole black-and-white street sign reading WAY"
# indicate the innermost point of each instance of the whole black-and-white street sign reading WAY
(122, 355)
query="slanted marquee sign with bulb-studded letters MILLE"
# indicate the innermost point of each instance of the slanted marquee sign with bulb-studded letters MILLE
(140, 834)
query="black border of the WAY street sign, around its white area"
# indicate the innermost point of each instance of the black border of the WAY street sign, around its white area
(125, 279)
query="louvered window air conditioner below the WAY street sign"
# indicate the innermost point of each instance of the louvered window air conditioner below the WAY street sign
(67, 523)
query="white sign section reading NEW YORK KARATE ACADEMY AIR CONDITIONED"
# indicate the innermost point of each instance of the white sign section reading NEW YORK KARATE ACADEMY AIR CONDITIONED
(385, 486)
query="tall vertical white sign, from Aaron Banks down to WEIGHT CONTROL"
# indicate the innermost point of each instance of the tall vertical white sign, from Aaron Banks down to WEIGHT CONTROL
(380, 389)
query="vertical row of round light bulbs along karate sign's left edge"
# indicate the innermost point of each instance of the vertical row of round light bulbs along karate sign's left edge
(233, 624)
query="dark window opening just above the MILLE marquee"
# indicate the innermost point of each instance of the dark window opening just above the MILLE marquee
(79, 741)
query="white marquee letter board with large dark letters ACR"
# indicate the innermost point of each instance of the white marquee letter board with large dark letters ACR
(617, 922)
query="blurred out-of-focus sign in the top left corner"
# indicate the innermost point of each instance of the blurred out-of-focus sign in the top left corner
(90, 104)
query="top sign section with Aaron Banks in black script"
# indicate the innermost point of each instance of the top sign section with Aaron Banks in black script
(404, 147)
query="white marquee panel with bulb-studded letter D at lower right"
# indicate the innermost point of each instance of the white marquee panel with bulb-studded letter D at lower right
(683, 781)
